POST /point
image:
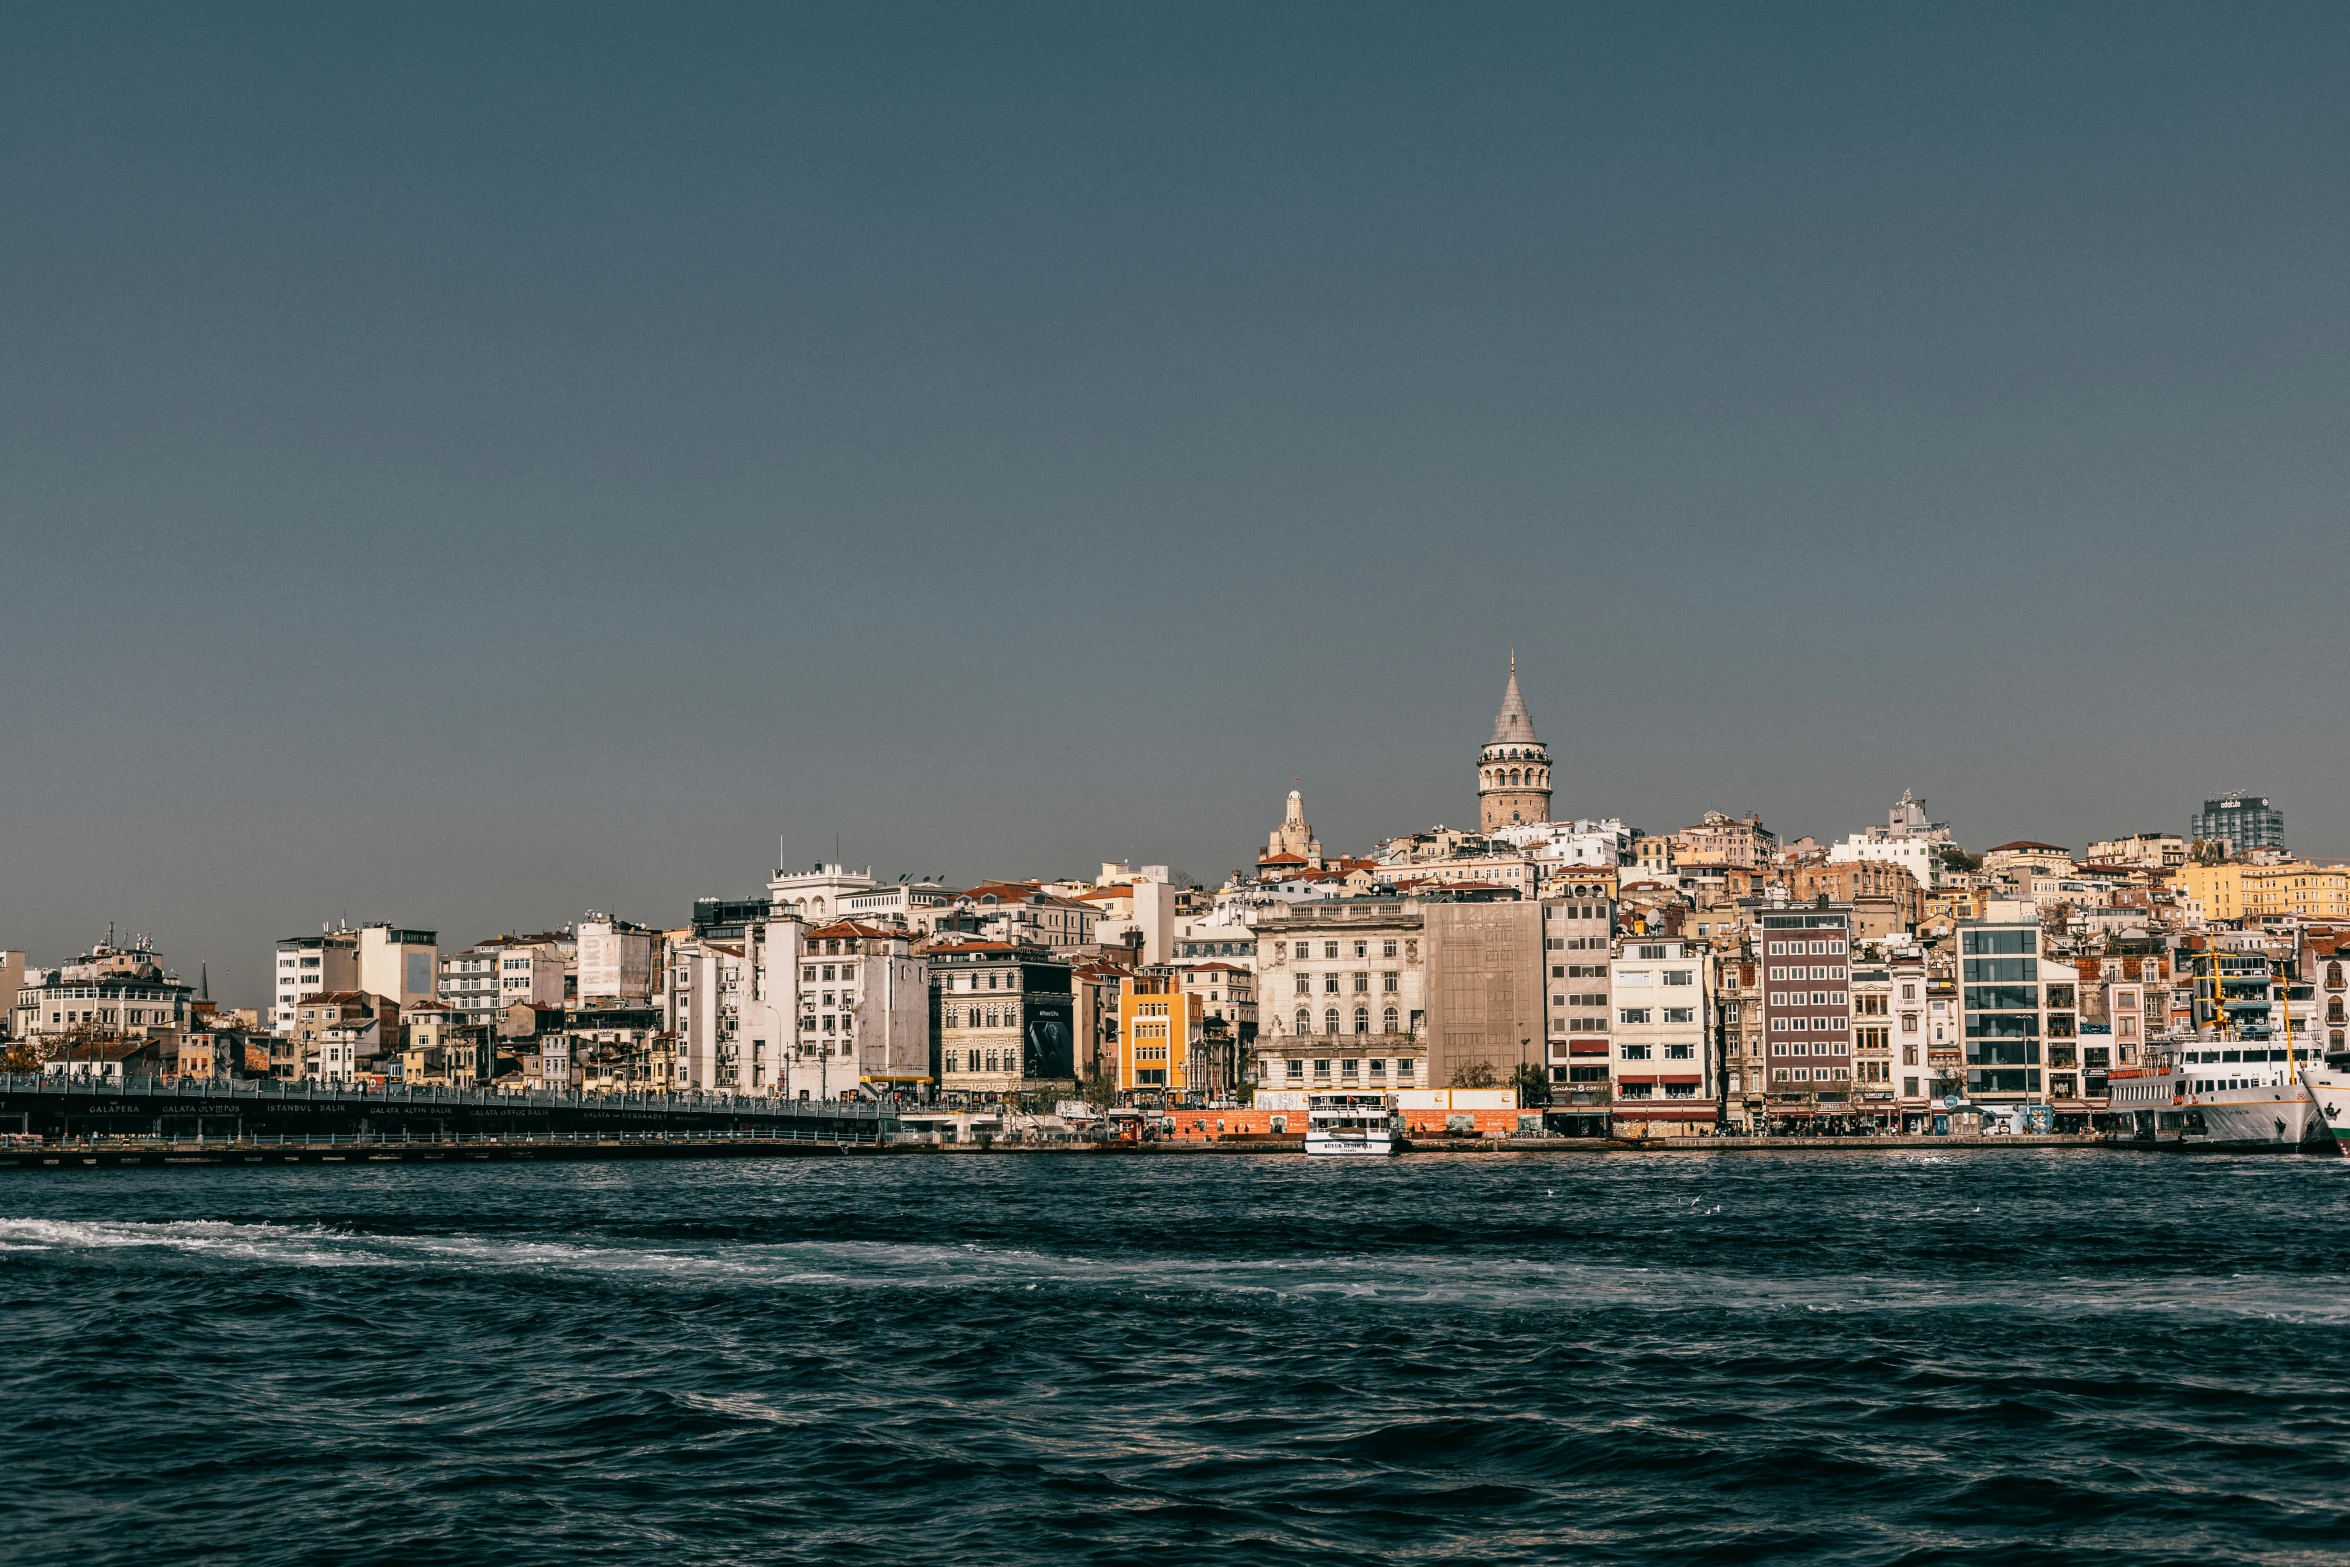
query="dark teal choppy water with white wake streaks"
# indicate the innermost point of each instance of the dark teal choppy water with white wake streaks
(1007, 1359)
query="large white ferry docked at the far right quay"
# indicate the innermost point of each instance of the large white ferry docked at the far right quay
(2224, 1096)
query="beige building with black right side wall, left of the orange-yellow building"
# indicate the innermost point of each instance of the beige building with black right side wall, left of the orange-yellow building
(1005, 1021)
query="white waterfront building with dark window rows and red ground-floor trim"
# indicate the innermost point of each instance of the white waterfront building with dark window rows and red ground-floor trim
(1663, 1037)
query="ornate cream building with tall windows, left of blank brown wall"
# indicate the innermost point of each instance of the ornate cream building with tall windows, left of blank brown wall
(1341, 981)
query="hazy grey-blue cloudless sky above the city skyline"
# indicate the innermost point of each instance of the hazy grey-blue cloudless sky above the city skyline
(464, 466)
